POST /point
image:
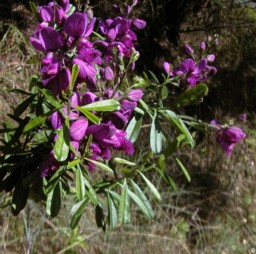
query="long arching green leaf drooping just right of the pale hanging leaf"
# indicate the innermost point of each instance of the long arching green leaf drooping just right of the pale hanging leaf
(177, 121)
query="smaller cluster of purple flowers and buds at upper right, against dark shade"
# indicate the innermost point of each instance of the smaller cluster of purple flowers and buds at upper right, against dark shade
(191, 71)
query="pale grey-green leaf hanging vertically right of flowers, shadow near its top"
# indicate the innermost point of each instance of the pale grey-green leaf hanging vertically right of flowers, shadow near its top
(156, 135)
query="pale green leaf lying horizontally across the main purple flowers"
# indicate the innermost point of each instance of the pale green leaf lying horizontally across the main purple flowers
(105, 105)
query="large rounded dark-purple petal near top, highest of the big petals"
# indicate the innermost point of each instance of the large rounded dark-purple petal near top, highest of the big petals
(75, 24)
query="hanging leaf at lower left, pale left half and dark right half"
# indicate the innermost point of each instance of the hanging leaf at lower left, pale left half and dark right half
(53, 202)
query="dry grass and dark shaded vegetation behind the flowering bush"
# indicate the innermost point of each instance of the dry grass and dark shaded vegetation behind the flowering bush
(216, 212)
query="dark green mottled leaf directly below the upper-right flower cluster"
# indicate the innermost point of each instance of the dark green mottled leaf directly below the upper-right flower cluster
(191, 96)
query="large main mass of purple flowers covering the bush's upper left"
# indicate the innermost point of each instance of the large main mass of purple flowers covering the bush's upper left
(103, 57)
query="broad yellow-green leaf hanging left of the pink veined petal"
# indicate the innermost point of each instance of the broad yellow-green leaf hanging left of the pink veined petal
(61, 147)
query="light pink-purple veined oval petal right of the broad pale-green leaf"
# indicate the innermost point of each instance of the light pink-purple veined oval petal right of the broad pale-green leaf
(78, 129)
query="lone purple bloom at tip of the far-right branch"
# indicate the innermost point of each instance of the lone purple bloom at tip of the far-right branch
(227, 137)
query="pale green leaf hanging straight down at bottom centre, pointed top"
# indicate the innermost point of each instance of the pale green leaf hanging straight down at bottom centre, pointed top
(124, 207)
